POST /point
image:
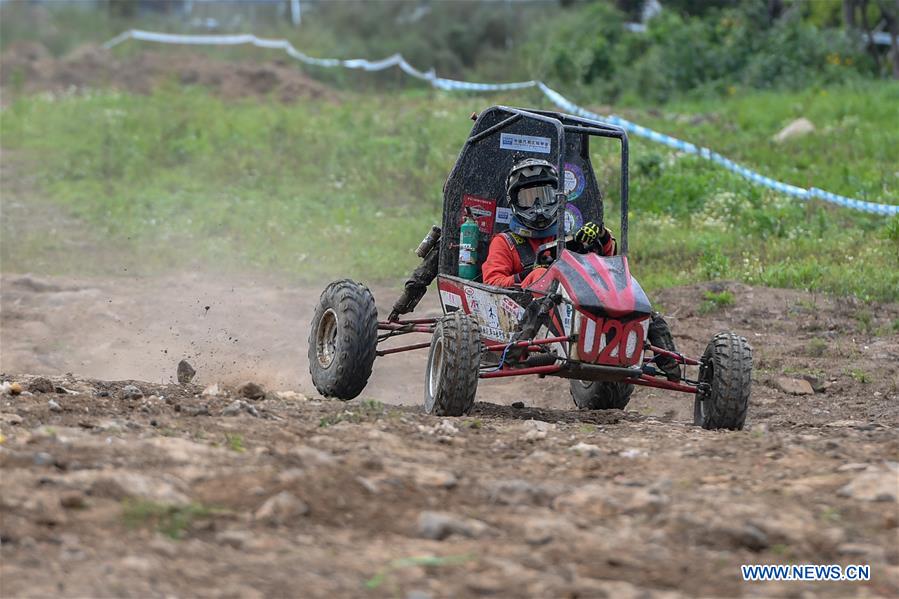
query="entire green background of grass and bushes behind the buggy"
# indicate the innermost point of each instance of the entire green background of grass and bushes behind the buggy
(253, 184)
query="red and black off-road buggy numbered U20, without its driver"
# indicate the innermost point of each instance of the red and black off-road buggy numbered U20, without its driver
(586, 319)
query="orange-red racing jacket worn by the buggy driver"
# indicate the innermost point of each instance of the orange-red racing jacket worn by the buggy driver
(504, 266)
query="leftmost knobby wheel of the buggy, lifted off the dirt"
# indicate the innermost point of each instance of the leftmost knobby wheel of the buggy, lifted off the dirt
(343, 339)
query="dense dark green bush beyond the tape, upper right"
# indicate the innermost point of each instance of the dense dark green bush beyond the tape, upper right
(716, 52)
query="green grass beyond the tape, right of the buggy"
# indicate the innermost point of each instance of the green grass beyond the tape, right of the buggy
(853, 150)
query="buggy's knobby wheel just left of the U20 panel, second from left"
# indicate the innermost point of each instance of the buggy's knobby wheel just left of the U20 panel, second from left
(451, 378)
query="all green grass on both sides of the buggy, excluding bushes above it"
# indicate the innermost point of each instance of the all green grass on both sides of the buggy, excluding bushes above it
(321, 190)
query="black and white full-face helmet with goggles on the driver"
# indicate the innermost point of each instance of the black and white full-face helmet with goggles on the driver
(531, 191)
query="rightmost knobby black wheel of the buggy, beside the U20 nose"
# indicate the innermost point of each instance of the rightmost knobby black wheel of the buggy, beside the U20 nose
(725, 378)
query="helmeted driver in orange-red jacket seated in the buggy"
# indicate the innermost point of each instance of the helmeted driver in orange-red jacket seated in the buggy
(531, 191)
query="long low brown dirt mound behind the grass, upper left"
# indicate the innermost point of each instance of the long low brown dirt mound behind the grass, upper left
(28, 67)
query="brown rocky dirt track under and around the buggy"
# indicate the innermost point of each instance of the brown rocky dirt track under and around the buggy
(650, 504)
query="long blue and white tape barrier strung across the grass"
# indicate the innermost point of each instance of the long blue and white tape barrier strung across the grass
(555, 97)
